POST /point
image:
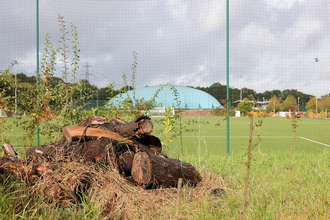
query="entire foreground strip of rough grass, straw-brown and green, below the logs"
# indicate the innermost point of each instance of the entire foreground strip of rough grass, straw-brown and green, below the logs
(282, 187)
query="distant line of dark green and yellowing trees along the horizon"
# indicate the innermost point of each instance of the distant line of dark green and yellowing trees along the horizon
(278, 99)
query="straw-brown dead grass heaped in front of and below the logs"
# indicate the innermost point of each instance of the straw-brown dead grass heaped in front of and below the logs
(74, 183)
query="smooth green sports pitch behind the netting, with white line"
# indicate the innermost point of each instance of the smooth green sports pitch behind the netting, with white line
(313, 135)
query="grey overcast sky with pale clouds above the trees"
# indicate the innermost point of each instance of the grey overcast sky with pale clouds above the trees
(273, 43)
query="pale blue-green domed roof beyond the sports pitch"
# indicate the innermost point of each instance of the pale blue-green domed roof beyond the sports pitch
(190, 98)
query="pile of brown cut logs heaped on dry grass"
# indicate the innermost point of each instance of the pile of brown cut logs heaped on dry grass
(126, 147)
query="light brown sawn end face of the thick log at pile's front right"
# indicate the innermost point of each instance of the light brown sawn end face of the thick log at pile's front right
(142, 168)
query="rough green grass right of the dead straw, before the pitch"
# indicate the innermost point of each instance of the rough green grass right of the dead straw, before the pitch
(281, 186)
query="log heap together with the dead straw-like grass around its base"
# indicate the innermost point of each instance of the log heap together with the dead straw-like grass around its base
(117, 166)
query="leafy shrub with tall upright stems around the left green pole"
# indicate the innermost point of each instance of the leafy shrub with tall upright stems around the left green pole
(48, 106)
